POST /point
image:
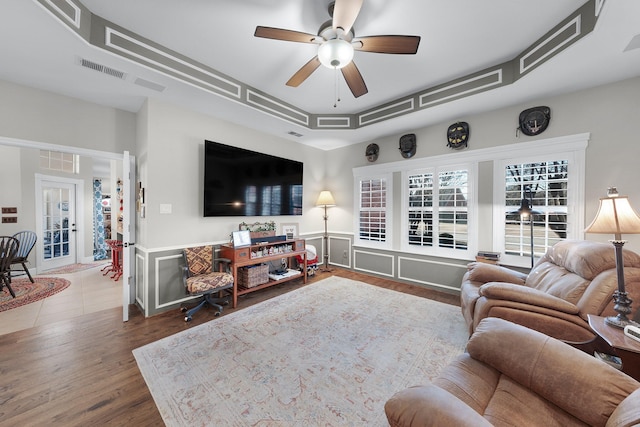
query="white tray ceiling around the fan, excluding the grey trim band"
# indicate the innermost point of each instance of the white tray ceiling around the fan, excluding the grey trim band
(459, 37)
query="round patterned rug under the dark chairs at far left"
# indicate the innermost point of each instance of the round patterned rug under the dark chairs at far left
(27, 292)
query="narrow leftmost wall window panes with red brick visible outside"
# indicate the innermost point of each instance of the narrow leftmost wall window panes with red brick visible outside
(373, 214)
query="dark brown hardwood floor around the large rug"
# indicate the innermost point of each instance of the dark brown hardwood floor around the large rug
(81, 372)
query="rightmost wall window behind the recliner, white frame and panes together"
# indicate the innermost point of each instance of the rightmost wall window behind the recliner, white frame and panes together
(550, 176)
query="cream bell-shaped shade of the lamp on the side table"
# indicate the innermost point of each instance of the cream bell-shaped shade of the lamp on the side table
(615, 216)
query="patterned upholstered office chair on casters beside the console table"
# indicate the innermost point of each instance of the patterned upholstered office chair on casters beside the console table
(201, 280)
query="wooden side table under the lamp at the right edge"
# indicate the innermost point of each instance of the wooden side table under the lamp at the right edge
(620, 345)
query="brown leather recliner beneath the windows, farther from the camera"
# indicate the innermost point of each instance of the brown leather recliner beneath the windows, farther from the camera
(574, 278)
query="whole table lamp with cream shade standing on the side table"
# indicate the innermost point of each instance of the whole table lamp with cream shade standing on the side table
(616, 216)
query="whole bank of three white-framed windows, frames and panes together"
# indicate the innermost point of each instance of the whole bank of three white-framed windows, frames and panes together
(455, 204)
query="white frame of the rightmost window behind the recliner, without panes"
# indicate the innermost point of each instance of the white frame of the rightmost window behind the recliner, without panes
(570, 148)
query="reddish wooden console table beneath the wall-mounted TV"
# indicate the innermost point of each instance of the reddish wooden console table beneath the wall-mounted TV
(262, 253)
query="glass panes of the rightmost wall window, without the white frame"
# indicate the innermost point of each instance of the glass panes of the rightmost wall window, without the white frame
(543, 186)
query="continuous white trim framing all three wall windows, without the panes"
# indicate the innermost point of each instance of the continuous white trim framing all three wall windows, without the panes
(500, 155)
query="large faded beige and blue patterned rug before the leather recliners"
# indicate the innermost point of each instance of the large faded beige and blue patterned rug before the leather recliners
(330, 353)
